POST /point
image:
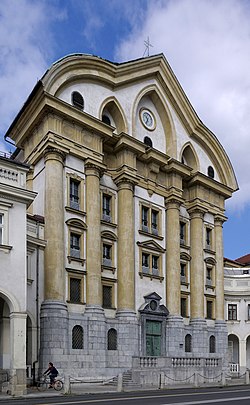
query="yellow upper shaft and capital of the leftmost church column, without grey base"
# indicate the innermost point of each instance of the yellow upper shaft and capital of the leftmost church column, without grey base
(54, 226)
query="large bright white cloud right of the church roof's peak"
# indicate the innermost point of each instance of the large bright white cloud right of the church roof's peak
(207, 43)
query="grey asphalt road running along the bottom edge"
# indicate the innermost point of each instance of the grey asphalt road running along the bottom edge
(223, 396)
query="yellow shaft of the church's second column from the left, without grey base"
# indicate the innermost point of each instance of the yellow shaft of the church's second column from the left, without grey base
(93, 264)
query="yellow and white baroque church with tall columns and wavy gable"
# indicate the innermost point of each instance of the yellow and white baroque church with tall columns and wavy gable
(129, 187)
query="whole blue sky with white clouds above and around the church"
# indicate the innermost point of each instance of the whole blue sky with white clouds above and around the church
(206, 42)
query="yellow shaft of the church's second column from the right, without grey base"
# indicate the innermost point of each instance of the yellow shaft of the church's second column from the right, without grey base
(197, 263)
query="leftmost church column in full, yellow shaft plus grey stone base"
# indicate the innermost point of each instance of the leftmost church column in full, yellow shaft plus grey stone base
(54, 313)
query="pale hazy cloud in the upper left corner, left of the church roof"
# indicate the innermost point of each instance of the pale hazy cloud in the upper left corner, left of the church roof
(23, 58)
